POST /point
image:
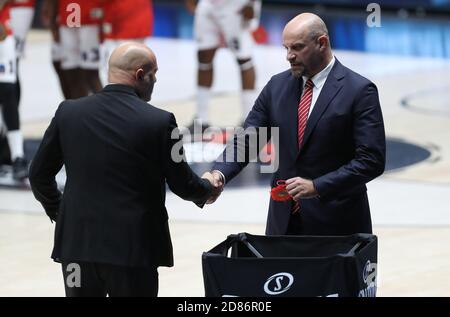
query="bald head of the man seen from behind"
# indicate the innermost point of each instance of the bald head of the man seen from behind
(133, 64)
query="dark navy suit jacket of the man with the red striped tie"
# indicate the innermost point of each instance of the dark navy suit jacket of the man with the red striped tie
(343, 149)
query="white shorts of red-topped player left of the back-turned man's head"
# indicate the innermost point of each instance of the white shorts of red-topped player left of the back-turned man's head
(80, 47)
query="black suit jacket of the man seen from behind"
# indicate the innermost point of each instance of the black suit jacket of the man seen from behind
(116, 150)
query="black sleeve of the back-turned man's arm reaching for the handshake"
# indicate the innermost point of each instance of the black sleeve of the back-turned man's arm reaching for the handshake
(180, 177)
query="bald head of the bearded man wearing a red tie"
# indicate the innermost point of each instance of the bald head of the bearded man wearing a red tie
(308, 45)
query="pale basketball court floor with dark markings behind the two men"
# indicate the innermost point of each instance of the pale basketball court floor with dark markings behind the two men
(410, 204)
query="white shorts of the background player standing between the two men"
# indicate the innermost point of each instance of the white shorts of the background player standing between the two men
(214, 24)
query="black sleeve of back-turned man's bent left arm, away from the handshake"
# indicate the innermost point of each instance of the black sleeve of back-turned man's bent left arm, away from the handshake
(47, 162)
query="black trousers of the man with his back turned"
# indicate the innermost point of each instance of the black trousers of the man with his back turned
(82, 279)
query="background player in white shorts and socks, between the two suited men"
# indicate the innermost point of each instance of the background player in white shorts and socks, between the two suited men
(231, 21)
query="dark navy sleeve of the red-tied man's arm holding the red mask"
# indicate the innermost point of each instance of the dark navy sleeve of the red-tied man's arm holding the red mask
(370, 149)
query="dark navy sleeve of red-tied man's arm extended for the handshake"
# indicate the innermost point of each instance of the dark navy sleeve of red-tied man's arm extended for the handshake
(239, 152)
